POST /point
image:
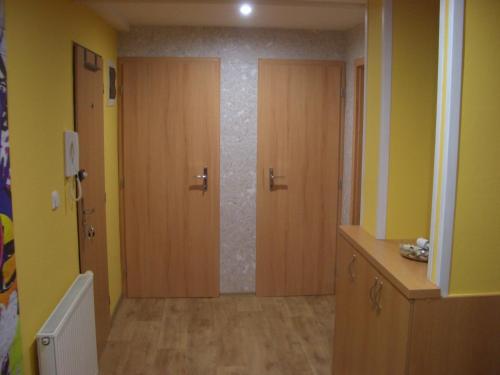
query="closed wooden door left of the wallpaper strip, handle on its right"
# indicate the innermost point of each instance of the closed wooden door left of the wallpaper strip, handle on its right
(170, 120)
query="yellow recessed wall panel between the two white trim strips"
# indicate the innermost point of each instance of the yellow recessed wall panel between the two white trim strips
(413, 117)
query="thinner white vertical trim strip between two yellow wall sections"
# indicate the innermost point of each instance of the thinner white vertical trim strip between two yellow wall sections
(385, 120)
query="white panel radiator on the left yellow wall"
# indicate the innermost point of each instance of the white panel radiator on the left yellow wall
(67, 341)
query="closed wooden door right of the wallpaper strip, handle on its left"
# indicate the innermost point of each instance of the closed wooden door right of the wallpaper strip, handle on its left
(300, 107)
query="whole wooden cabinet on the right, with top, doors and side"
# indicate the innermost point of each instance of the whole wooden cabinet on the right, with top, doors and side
(390, 320)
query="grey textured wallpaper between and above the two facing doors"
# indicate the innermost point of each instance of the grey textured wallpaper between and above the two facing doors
(239, 51)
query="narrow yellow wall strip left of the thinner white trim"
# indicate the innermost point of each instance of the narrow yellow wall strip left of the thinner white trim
(372, 127)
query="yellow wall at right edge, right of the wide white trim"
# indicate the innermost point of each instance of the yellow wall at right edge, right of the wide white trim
(476, 250)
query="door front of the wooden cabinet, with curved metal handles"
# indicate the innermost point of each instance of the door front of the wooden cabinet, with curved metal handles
(366, 306)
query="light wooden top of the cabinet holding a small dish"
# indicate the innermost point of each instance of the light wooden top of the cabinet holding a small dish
(410, 277)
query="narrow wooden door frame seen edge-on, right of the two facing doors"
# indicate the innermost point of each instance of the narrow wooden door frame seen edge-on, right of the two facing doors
(357, 159)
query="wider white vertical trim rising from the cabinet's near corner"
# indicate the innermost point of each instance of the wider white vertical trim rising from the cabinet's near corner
(450, 144)
